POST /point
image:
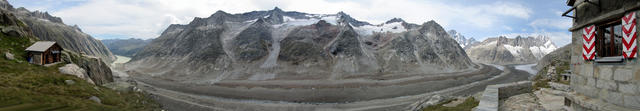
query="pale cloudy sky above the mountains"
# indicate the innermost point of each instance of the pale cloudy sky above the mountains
(107, 19)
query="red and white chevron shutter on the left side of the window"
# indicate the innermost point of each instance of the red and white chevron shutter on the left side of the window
(588, 42)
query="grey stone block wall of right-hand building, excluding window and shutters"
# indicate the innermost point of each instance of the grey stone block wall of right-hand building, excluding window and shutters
(615, 84)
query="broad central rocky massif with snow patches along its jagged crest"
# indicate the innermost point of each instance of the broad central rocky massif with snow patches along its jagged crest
(275, 44)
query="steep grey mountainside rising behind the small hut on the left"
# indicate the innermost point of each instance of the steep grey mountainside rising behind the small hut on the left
(50, 28)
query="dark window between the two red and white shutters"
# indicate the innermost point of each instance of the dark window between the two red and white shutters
(609, 39)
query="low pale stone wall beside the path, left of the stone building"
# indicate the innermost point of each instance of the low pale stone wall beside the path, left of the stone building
(491, 96)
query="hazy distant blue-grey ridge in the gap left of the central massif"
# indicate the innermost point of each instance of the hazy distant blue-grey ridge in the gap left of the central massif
(125, 47)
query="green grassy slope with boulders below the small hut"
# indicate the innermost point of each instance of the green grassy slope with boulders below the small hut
(24, 83)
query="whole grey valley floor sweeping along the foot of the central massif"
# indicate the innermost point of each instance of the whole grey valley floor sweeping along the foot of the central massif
(373, 96)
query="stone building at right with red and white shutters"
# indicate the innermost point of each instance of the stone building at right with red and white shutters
(606, 70)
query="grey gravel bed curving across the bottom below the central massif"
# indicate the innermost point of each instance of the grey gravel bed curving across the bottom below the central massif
(367, 99)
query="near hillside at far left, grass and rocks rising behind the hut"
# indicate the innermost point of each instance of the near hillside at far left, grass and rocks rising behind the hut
(26, 87)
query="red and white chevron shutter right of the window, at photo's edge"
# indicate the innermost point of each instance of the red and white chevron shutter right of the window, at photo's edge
(629, 36)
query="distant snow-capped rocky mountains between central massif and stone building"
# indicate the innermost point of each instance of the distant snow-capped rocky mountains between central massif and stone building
(518, 50)
